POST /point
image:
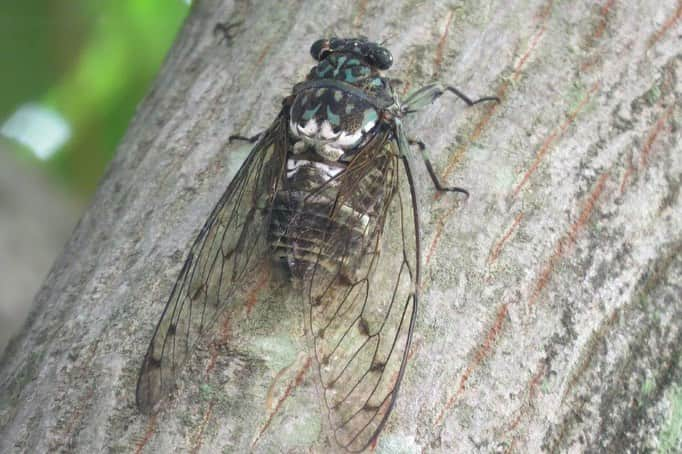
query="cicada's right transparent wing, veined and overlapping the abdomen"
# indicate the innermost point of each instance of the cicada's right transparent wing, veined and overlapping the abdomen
(363, 304)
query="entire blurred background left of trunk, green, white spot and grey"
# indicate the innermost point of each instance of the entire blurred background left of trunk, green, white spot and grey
(72, 75)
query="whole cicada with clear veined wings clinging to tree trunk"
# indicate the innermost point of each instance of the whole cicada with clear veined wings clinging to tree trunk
(328, 192)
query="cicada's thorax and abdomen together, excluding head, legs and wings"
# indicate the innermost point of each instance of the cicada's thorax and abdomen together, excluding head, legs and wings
(337, 143)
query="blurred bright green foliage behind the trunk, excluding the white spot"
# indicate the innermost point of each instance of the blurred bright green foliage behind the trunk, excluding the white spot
(90, 61)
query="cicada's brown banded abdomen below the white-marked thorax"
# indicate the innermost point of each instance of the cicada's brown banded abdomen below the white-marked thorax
(314, 225)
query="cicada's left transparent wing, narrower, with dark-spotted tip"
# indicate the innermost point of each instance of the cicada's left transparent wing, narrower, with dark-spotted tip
(232, 242)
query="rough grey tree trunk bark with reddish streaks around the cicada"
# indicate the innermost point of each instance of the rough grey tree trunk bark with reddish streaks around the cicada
(551, 316)
